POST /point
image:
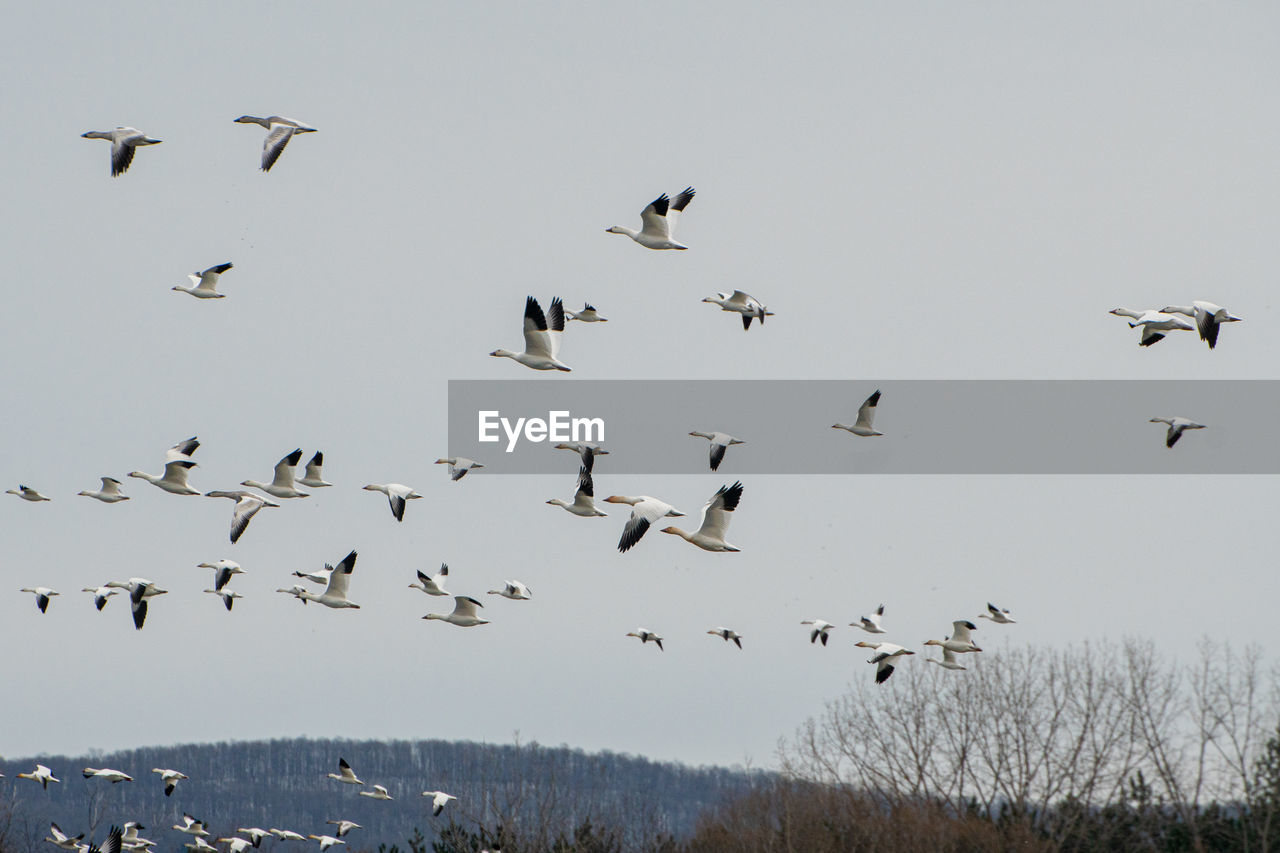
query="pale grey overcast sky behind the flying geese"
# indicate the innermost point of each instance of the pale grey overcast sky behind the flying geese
(920, 191)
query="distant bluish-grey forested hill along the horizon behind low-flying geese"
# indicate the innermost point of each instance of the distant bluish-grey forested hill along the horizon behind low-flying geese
(284, 784)
